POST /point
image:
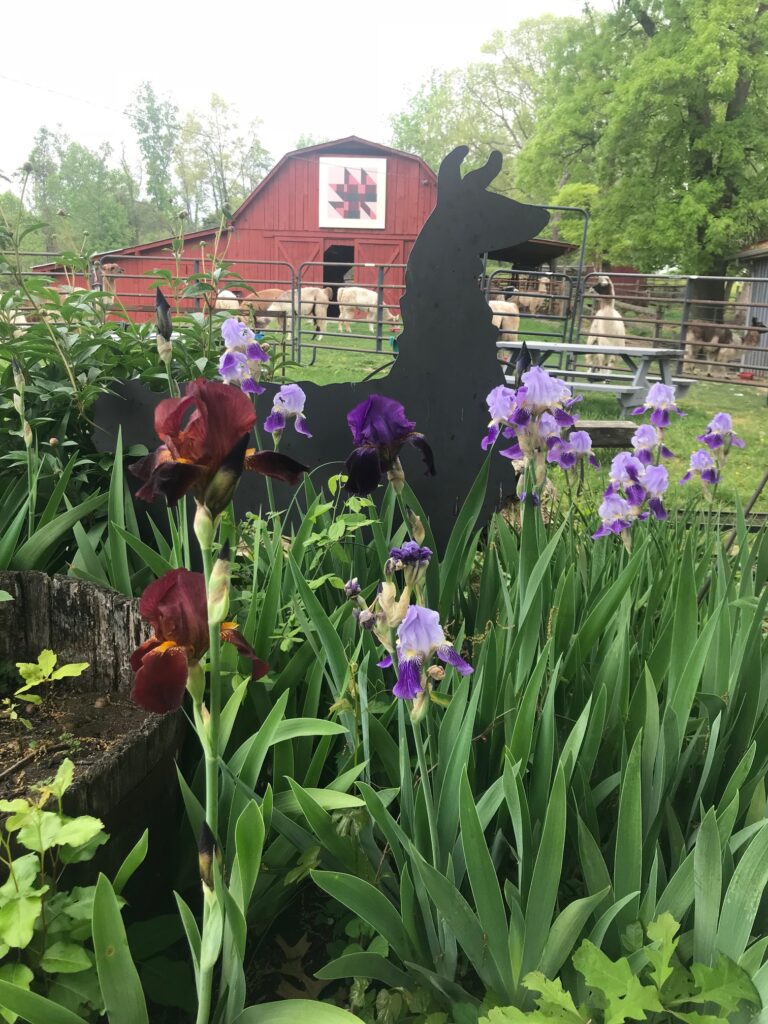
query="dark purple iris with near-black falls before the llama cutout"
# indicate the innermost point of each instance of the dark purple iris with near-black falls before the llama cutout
(380, 429)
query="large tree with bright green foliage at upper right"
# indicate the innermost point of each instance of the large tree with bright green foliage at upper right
(661, 105)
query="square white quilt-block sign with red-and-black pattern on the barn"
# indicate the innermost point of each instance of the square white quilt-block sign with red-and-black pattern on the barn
(353, 192)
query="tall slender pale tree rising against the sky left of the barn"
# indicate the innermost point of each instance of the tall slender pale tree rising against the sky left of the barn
(156, 123)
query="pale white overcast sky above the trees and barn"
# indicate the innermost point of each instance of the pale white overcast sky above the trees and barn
(296, 66)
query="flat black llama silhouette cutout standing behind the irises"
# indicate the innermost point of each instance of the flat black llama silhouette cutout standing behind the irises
(446, 367)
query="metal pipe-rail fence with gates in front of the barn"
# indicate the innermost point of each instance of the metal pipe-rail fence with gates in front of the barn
(722, 338)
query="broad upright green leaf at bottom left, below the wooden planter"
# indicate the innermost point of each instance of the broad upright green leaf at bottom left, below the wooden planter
(117, 974)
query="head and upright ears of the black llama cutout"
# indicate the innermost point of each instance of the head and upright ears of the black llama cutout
(473, 221)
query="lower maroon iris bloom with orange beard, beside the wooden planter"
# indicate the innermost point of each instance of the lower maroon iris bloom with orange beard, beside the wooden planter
(178, 609)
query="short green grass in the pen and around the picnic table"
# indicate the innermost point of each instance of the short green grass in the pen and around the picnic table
(747, 406)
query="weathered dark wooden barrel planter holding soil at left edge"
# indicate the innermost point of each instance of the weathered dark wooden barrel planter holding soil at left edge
(129, 778)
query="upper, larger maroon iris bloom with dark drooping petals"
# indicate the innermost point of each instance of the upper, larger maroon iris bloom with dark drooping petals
(204, 451)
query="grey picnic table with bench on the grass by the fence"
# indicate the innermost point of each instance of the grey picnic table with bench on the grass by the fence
(629, 386)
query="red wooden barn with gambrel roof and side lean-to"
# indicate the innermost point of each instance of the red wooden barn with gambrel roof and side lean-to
(344, 208)
